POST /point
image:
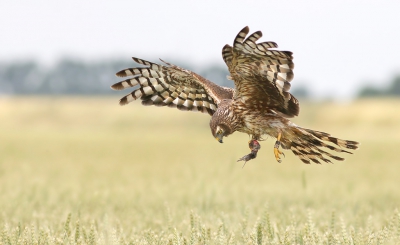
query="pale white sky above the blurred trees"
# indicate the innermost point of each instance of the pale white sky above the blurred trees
(337, 45)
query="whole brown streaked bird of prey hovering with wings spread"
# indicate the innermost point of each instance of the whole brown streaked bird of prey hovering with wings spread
(259, 105)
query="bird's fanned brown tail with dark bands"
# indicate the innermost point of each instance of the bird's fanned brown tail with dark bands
(308, 145)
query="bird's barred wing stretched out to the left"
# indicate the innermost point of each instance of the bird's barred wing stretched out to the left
(170, 85)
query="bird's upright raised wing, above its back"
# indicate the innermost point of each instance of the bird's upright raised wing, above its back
(261, 74)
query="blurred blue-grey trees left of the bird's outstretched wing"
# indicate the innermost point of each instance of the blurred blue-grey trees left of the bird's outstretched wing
(66, 77)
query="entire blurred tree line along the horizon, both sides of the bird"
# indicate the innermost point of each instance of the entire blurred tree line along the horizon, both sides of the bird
(70, 76)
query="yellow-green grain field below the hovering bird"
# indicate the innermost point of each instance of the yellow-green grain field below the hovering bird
(77, 170)
